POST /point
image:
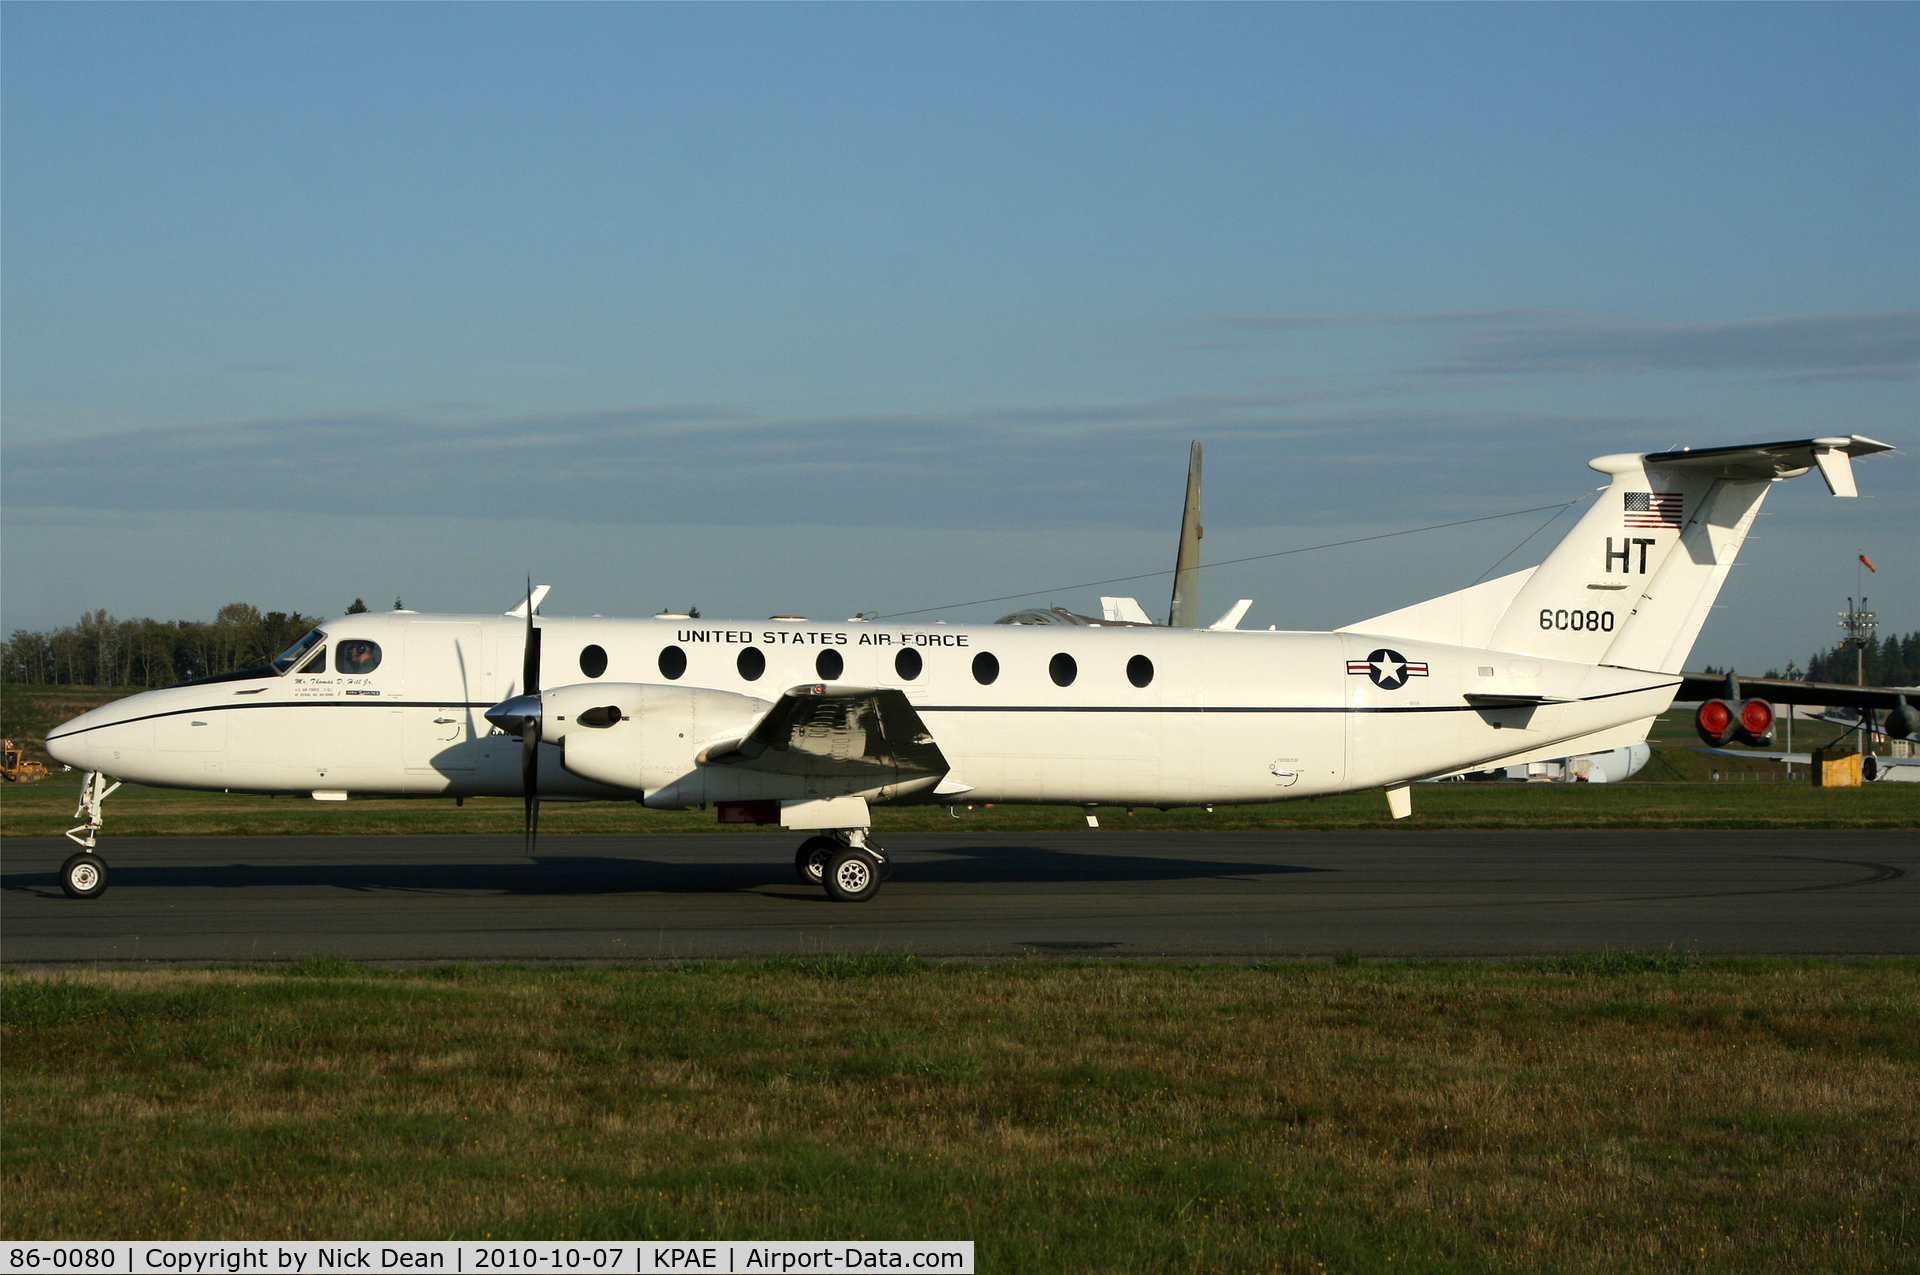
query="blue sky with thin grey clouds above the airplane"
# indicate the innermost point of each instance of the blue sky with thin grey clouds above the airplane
(888, 308)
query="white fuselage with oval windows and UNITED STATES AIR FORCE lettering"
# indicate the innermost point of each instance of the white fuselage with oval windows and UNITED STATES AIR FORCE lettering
(1022, 713)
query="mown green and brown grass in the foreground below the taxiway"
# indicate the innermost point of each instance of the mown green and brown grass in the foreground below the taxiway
(1618, 1113)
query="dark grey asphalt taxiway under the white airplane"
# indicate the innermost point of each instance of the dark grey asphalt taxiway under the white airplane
(1113, 894)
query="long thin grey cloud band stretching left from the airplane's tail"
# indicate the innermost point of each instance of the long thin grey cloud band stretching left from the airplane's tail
(1040, 468)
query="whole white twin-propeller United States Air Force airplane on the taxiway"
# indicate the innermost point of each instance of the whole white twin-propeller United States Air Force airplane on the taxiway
(811, 725)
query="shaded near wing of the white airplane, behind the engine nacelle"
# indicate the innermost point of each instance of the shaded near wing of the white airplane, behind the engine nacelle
(838, 733)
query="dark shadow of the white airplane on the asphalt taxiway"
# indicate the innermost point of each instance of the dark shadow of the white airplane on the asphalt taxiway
(598, 875)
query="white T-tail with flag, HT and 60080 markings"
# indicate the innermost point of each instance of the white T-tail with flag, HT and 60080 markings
(1637, 577)
